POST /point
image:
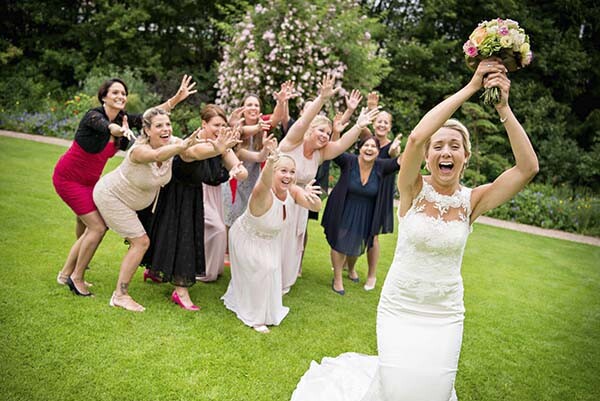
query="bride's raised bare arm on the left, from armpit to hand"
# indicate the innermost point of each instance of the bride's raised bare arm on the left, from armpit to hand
(409, 182)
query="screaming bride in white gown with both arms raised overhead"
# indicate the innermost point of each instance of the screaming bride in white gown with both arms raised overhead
(421, 312)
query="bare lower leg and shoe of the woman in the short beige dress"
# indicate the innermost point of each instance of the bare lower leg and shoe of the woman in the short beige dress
(130, 263)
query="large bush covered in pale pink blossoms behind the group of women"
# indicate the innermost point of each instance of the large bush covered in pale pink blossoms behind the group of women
(300, 41)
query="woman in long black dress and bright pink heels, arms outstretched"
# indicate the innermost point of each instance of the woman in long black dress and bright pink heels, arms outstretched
(176, 254)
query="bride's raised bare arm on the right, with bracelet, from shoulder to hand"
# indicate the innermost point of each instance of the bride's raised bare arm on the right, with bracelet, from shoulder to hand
(511, 181)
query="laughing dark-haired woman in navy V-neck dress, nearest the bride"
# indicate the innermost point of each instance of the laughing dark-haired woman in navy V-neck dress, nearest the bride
(355, 210)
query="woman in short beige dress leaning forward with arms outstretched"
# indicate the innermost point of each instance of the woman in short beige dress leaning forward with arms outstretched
(133, 186)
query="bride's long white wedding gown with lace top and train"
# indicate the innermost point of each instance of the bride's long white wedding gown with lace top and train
(419, 318)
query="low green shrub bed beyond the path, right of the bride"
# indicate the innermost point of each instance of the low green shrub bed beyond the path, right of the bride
(549, 207)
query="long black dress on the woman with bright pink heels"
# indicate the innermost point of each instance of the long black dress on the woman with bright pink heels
(176, 228)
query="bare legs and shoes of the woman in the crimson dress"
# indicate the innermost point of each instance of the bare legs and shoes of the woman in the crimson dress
(84, 248)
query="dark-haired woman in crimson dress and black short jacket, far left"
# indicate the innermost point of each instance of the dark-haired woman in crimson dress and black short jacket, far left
(99, 136)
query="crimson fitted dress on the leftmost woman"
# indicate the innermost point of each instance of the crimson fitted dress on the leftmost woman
(77, 172)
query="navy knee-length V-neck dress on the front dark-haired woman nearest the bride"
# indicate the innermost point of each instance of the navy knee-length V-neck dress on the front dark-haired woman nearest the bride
(354, 212)
